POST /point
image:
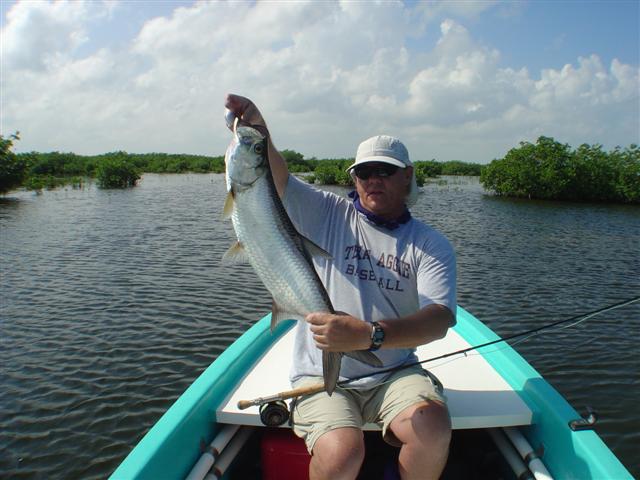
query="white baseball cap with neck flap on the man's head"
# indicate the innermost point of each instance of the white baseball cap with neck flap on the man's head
(386, 149)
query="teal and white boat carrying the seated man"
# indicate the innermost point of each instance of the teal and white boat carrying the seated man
(507, 420)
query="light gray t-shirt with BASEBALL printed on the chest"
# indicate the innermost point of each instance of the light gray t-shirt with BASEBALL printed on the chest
(375, 273)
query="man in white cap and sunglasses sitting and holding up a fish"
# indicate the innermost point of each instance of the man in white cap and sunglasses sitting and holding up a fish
(395, 276)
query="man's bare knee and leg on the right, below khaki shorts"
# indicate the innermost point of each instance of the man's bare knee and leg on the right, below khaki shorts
(424, 429)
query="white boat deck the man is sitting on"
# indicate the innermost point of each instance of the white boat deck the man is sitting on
(477, 396)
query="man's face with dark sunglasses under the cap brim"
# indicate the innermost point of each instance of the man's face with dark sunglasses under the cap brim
(383, 192)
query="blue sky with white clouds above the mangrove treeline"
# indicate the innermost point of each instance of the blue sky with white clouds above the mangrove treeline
(454, 80)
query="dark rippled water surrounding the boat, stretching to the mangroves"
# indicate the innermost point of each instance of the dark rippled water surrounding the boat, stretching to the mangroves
(113, 302)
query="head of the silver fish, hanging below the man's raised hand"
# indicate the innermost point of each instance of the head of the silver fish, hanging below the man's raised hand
(246, 158)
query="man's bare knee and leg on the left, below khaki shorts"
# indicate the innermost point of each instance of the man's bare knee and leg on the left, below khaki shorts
(337, 454)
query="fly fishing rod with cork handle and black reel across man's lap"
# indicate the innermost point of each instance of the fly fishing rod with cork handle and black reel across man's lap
(278, 398)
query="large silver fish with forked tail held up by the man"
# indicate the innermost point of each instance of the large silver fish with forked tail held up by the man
(281, 257)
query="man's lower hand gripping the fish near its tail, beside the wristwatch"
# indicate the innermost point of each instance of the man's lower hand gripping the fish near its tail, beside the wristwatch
(339, 332)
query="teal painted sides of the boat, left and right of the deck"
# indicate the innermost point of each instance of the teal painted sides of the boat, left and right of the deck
(173, 445)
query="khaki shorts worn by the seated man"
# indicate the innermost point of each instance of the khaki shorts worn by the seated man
(317, 414)
